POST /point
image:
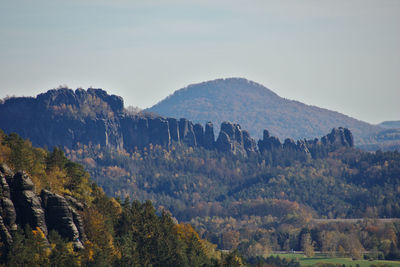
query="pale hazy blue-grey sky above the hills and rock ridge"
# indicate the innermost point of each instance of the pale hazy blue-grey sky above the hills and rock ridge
(342, 55)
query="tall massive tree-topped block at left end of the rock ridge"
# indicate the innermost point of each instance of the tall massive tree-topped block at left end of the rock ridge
(64, 118)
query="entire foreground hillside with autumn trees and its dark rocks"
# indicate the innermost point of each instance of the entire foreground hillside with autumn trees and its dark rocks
(110, 234)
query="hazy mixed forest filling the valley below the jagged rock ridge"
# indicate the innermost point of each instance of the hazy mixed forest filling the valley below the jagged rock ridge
(258, 203)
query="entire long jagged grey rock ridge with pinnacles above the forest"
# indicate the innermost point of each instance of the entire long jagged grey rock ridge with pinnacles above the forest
(65, 118)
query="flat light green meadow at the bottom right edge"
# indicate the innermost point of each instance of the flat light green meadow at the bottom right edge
(347, 261)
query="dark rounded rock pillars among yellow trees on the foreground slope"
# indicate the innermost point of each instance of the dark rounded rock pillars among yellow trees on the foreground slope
(21, 206)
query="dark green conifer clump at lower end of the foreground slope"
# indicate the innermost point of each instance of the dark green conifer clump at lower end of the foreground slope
(147, 239)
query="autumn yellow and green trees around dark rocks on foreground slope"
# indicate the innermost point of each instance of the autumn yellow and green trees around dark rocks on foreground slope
(128, 233)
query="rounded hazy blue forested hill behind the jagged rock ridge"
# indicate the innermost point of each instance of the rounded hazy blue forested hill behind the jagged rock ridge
(255, 108)
